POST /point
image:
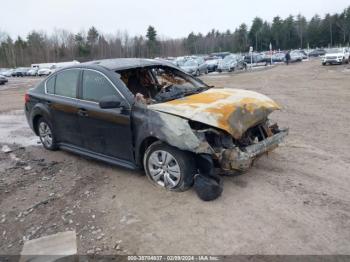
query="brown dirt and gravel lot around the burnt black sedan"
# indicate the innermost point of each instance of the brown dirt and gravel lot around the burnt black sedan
(295, 201)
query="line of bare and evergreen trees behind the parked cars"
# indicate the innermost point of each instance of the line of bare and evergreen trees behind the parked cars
(287, 33)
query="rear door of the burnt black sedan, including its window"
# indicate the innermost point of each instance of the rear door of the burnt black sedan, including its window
(62, 102)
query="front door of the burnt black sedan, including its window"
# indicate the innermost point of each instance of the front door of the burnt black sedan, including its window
(104, 131)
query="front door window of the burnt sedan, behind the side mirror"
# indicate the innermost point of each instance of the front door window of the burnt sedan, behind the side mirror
(96, 86)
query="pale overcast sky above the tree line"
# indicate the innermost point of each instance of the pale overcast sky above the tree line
(171, 18)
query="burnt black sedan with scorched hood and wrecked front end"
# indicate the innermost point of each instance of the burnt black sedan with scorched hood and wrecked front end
(141, 113)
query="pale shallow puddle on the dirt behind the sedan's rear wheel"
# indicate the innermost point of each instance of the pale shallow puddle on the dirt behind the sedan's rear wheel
(15, 129)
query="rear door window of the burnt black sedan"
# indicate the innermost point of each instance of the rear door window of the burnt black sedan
(66, 83)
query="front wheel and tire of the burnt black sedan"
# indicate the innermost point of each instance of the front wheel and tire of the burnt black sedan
(160, 157)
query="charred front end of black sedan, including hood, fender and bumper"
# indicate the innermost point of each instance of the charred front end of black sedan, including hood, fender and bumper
(229, 125)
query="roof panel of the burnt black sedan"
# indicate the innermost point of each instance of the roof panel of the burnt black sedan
(127, 63)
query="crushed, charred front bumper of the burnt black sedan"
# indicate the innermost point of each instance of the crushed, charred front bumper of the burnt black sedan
(241, 159)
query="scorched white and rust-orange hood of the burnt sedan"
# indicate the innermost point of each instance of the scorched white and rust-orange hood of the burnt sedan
(233, 110)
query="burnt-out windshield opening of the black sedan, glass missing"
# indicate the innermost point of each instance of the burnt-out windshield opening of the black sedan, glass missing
(158, 84)
